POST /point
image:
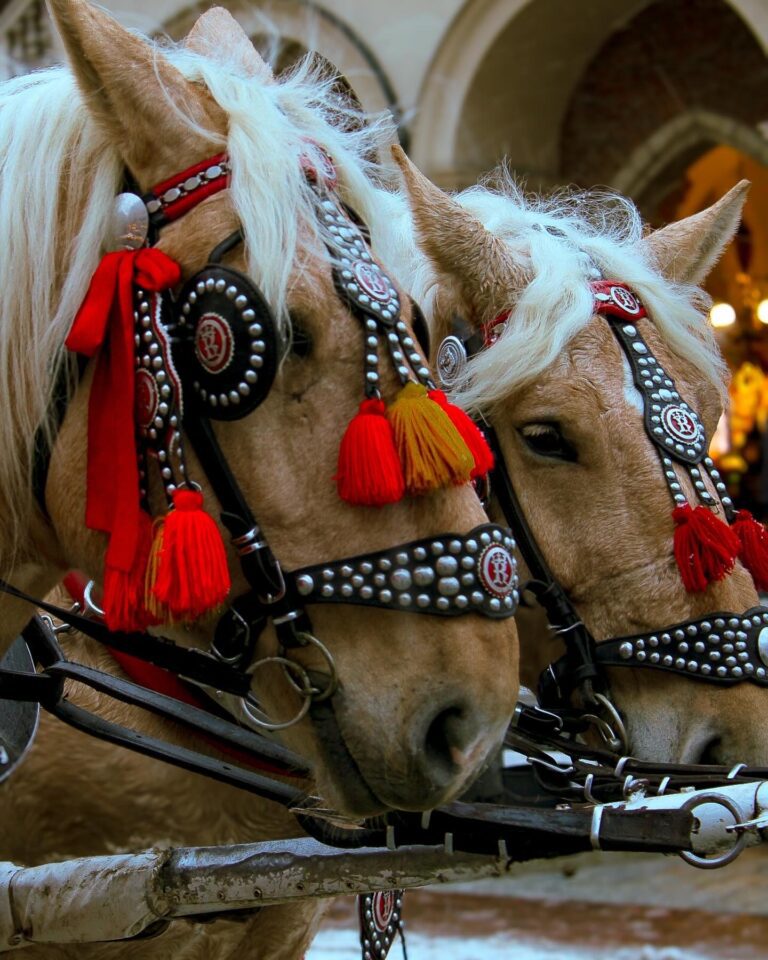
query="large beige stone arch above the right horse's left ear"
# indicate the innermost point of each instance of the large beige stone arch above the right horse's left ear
(506, 64)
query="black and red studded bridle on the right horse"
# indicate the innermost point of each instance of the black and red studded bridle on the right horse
(721, 647)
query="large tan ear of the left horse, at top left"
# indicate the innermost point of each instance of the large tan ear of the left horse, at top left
(134, 92)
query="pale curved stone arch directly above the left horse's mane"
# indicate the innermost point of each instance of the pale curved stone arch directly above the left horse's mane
(310, 26)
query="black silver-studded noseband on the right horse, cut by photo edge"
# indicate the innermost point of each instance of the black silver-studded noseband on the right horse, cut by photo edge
(719, 647)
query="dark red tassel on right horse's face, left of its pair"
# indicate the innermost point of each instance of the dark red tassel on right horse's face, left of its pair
(705, 547)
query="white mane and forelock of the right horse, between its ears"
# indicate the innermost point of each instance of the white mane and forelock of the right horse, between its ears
(591, 233)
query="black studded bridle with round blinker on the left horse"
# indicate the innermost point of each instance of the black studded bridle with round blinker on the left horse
(212, 352)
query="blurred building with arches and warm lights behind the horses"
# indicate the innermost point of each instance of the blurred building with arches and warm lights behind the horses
(665, 101)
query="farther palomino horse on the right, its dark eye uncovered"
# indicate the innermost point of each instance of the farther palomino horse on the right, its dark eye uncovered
(572, 400)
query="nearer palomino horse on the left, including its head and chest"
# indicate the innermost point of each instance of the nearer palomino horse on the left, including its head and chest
(422, 700)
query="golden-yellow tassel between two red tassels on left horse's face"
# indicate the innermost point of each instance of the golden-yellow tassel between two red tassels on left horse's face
(431, 449)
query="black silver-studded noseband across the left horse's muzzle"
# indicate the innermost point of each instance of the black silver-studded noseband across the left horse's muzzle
(447, 576)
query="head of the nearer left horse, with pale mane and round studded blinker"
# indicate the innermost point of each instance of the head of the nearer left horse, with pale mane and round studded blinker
(248, 188)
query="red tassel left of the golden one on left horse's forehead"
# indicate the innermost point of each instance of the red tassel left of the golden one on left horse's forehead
(369, 472)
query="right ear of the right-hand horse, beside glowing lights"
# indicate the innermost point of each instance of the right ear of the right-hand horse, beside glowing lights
(687, 250)
